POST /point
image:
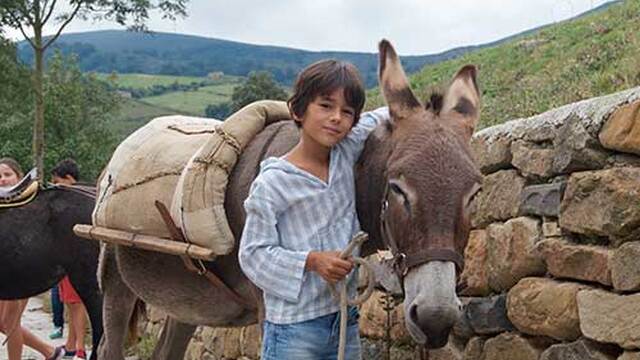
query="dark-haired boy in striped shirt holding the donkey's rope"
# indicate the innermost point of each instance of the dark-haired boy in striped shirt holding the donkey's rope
(301, 213)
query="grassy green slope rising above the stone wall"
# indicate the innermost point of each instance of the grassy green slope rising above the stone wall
(590, 56)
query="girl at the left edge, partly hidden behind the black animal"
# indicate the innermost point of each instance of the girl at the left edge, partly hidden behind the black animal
(11, 310)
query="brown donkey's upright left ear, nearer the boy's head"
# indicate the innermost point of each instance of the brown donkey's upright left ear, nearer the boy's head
(394, 84)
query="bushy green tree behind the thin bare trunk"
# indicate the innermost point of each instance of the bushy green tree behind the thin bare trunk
(79, 109)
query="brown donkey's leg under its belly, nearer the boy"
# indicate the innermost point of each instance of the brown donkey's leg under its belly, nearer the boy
(173, 340)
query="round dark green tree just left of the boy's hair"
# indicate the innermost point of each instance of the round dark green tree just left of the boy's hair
(259, 86)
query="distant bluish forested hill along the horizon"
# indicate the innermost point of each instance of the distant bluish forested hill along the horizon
(184, 55)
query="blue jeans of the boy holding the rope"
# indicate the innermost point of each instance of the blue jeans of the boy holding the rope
(315, 339)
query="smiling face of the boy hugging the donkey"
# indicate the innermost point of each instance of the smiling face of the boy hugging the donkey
(328, 119)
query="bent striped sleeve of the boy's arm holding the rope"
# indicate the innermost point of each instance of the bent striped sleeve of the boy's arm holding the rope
(271, 267)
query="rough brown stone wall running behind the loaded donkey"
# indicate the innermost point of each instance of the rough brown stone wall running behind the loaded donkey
(553, 263)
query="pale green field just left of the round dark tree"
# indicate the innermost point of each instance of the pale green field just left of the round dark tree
(193, 102)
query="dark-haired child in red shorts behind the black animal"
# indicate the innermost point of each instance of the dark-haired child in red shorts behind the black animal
(66, 173)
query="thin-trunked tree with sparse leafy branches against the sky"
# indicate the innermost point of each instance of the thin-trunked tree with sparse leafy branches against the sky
(35, 14)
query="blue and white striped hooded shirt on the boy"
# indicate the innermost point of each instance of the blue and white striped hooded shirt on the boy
(290, 213)
